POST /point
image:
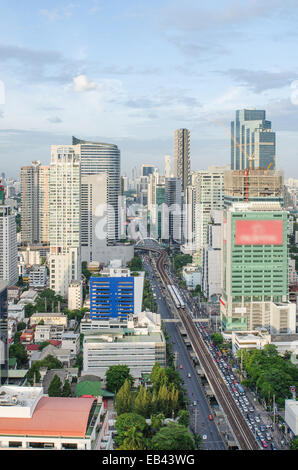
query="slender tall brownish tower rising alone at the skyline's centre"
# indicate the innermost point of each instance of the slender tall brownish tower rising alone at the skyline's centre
(182, 156)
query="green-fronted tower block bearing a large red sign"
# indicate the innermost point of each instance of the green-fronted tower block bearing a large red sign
(255, 269)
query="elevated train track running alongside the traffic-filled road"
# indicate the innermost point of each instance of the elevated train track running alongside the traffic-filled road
(242, 432)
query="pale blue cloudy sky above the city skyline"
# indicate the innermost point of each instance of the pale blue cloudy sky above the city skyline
(131, 72)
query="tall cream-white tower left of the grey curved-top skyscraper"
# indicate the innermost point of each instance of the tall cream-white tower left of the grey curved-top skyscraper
(64, 203)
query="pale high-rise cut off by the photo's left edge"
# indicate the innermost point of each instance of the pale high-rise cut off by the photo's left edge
(8, 243)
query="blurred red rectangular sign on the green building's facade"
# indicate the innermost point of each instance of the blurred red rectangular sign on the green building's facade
(259, 232)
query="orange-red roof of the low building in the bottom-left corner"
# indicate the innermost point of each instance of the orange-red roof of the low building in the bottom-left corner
(53, 416)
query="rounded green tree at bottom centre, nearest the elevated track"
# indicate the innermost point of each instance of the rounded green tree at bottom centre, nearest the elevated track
(173, 437)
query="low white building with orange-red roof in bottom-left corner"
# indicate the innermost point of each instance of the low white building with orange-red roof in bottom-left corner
(31, 420)
